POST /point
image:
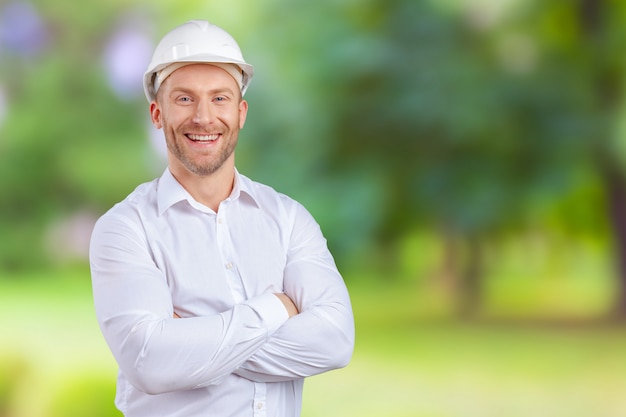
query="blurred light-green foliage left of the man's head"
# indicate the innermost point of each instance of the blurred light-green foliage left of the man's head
(67, 142)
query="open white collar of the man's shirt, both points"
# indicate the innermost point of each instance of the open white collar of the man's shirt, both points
(170, 192)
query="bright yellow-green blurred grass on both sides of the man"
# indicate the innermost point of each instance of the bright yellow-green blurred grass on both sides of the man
(405, 364)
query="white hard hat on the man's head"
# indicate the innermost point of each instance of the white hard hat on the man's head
(196, 41)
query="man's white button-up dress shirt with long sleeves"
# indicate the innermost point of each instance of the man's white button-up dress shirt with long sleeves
(234, 352)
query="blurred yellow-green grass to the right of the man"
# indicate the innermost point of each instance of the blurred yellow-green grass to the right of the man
(405, 365)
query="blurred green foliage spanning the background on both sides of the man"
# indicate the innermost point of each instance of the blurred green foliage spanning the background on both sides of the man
(476, 121)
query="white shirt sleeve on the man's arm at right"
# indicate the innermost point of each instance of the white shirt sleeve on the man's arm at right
(321, 337)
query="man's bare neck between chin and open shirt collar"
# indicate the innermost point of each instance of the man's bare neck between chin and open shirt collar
(209, 190)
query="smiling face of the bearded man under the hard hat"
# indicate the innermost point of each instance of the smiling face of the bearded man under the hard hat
(200, 109)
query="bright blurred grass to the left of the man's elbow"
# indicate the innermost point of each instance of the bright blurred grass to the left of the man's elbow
(50, 330)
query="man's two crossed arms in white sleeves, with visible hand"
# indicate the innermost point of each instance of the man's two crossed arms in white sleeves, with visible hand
(306, 330)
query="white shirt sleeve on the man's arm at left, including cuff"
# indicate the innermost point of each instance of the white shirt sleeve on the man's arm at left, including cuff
(156, 352)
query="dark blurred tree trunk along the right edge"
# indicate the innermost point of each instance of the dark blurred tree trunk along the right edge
(602, 40)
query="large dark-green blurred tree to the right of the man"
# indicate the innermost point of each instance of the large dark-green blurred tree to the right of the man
(471, 127)
